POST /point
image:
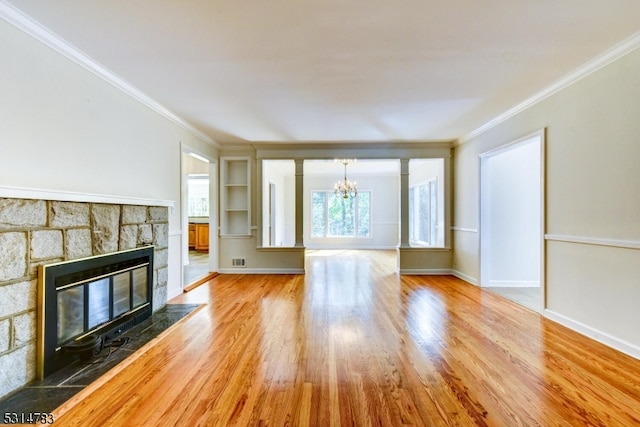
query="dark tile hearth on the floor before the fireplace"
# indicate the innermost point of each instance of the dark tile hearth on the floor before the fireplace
(53, 391)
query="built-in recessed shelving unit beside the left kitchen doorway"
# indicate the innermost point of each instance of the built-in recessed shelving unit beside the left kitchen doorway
(235, 196)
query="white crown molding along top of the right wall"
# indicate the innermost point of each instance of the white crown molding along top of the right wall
(616, 52)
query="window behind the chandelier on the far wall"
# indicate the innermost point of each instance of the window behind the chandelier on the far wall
(335, 216)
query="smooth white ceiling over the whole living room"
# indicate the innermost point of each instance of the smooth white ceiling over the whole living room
(290, 71)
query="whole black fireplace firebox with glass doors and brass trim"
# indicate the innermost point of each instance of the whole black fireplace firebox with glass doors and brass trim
(84, 303)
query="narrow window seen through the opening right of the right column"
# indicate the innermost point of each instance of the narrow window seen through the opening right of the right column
(423, 213)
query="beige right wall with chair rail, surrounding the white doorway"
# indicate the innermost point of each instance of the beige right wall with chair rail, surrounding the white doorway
(592, 204)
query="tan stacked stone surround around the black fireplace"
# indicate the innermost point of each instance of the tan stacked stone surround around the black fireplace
(37, 232)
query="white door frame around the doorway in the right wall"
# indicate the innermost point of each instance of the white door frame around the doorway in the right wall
(485, 233)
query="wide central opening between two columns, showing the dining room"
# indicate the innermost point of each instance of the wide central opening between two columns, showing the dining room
(368, 220)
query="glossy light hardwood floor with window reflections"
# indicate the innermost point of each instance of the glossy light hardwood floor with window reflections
(353, 343)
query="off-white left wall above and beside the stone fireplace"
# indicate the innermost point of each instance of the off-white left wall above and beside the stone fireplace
(63, 129)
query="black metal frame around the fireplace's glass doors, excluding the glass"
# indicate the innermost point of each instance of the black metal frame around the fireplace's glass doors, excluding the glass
(51, 356)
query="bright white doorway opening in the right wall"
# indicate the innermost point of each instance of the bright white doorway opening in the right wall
(512, 221)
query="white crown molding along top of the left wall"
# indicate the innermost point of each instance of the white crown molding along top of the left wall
(28, 25)
